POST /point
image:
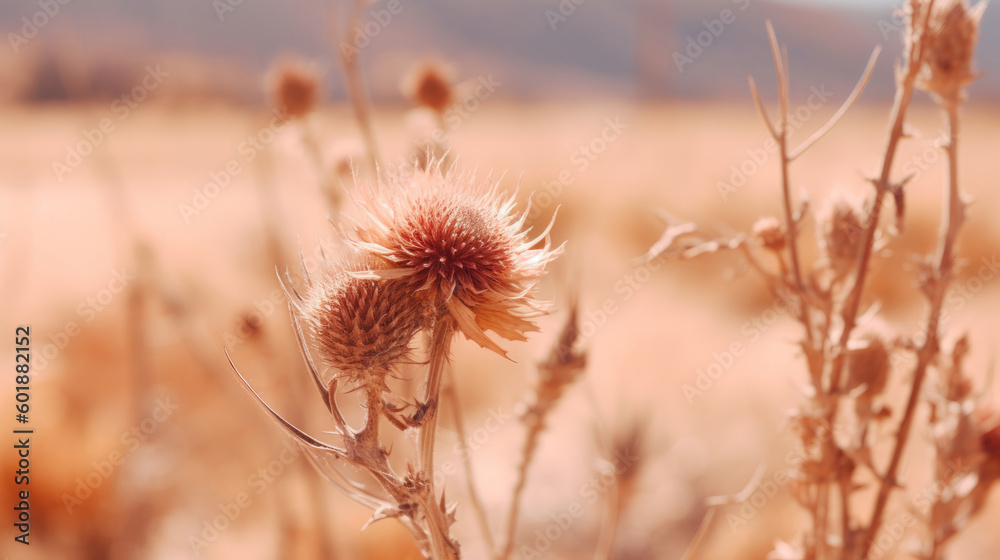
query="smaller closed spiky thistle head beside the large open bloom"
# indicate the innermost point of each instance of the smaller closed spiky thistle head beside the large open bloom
(362, 327)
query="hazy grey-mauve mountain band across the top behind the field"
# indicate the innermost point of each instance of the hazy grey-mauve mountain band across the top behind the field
(549, 49)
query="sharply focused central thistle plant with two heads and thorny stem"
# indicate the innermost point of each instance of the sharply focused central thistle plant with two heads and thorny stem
(431, 254)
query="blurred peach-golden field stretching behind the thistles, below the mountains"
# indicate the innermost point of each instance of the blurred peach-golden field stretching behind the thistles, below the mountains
(193, 283)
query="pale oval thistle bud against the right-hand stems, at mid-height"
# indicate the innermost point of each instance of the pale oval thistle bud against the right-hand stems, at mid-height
(840, 232)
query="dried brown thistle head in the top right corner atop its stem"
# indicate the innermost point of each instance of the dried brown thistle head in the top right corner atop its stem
(950, 44)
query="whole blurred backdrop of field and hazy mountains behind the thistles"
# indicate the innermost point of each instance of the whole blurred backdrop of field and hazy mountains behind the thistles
(148, 191)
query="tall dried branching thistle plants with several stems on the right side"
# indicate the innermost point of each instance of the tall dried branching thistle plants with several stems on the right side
(849, 354)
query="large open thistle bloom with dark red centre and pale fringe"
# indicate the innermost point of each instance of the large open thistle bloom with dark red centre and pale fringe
(458, 245)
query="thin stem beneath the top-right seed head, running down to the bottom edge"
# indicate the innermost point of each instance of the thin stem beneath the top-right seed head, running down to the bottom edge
(953, 216)
